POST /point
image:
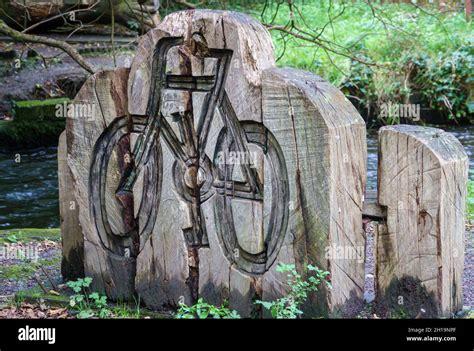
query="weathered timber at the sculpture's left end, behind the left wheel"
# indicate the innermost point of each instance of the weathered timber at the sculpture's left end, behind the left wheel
(103, 98)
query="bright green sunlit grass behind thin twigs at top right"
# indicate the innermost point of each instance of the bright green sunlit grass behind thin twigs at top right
(409, 29)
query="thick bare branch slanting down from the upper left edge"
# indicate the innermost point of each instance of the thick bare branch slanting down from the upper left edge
(29, 38)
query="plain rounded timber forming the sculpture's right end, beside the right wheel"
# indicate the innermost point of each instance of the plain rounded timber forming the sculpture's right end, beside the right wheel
(323, 139)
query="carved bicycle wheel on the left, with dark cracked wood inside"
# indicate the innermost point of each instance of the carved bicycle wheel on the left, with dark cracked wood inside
(127, 236)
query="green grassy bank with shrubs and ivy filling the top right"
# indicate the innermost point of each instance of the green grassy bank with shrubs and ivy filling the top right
(419, 56)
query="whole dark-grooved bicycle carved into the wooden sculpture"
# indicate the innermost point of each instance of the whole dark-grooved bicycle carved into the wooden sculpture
(185, 72)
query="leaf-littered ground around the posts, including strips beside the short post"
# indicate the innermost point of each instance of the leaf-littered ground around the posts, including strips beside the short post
(34, 288)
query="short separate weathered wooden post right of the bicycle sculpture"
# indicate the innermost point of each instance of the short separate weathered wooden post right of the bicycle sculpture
(420, 257)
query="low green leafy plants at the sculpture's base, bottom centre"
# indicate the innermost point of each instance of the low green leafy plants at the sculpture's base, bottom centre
(203, 310)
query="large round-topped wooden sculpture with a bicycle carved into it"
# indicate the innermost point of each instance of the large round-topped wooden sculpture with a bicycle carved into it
(203, 166)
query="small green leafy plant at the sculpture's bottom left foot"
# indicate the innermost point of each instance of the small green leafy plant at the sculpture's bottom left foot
(87, 304)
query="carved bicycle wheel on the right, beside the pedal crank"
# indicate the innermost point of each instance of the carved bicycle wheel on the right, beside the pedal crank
(250, 226)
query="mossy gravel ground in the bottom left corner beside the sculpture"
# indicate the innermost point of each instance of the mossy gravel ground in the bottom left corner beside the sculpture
(30, 261)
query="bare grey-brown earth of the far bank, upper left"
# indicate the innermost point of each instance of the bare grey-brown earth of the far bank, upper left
(60, 75)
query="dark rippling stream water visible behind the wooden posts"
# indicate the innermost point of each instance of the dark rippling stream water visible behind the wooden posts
(29, 188)
